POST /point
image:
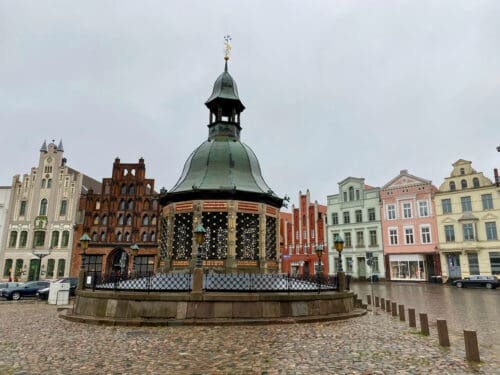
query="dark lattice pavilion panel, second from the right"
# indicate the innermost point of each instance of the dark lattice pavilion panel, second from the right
(247, 236)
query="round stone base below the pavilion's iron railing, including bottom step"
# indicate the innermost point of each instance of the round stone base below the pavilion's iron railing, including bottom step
(202, 308)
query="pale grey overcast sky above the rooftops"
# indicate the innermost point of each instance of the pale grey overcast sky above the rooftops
(332, 88)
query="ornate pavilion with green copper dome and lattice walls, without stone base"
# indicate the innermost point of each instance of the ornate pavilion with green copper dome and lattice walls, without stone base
(222, 188)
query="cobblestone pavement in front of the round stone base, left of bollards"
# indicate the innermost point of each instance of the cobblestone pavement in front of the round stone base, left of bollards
(34, 340)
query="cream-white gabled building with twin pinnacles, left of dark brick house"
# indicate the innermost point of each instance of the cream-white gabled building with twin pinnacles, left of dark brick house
(37, 237)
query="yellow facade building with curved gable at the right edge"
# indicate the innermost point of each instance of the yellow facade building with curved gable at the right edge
(468, 216)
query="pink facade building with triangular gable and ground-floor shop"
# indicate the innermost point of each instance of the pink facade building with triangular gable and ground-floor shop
(409, 229)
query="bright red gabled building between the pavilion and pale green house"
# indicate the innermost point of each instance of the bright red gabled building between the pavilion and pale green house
(301, 232)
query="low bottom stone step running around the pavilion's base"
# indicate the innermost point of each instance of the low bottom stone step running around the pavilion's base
(67, 315)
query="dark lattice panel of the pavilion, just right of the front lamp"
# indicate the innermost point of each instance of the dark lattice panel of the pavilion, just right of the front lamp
(215, 243)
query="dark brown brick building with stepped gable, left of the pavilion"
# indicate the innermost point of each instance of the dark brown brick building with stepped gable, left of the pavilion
(123, 213)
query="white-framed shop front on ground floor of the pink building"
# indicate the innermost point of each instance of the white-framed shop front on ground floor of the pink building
(408, 267)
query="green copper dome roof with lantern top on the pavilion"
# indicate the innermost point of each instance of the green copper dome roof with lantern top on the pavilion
(223, 167)
